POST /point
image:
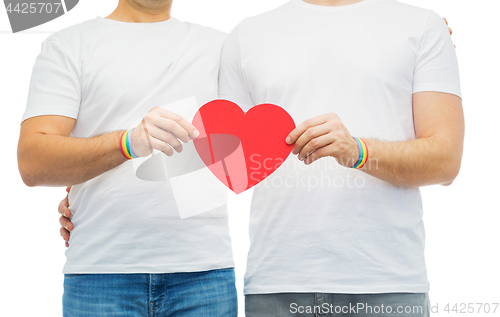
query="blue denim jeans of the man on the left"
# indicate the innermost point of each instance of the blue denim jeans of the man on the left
(207, 294)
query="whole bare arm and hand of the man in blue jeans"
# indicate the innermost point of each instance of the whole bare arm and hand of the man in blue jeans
(47, 155)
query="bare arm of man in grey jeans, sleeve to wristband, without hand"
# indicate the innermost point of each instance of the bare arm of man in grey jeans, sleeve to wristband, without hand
(435, 156)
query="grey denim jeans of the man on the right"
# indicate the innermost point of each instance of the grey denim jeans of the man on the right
(338, 305)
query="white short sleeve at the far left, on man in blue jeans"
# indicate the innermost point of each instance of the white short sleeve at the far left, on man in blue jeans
(55, 87)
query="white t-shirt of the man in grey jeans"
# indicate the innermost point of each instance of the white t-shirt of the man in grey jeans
(323, 227)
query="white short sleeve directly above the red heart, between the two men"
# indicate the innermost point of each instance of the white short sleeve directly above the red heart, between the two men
(232, 84)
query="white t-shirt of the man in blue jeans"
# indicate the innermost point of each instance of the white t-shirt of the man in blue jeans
(107, 74)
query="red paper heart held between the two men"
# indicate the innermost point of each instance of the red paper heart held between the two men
(242, 149)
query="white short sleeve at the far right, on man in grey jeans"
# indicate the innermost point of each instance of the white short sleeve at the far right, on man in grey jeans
(437, 66)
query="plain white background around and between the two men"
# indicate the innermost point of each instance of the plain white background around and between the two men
(462, 221)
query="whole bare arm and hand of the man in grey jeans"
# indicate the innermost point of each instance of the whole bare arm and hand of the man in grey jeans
(434, 157)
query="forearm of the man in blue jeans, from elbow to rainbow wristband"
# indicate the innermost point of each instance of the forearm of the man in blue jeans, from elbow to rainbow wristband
(54, 160)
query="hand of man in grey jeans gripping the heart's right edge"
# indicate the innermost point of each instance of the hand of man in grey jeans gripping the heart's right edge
(322, 136)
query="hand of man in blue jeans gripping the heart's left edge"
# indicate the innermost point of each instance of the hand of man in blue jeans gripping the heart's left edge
(161, 130)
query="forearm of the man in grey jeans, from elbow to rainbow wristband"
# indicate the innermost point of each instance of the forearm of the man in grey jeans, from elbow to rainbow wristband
(420, 162)
